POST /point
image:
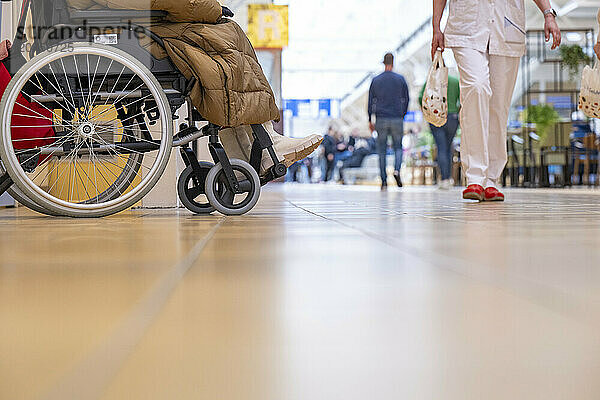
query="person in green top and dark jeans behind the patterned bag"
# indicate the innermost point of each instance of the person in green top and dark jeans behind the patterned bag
(444, 135)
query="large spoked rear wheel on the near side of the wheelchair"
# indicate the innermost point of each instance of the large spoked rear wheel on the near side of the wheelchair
(108, 131)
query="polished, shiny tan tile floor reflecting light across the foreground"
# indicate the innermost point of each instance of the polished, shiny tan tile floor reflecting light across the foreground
(321, 293)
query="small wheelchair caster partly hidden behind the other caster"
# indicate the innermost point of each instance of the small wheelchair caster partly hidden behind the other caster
(190, 188)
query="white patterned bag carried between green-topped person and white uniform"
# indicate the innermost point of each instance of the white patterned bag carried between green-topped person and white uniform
(435, 96)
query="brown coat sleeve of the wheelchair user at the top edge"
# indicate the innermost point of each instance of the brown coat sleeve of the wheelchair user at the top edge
(207, 11)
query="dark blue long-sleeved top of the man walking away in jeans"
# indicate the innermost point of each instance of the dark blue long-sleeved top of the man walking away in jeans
(388, 96)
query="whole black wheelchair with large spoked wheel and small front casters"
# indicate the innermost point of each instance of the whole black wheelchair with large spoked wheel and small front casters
(88, 121)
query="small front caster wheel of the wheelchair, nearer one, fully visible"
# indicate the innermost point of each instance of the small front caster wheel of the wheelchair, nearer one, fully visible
(223, 198)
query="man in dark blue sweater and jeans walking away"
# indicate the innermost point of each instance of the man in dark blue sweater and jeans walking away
(388, 101)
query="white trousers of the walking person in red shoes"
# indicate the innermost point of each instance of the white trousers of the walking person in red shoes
(487, 83)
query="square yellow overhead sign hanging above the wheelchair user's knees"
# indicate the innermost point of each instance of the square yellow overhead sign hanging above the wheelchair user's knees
(268, 26)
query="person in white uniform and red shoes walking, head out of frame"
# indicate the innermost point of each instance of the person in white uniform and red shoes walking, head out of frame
(488, 40)
